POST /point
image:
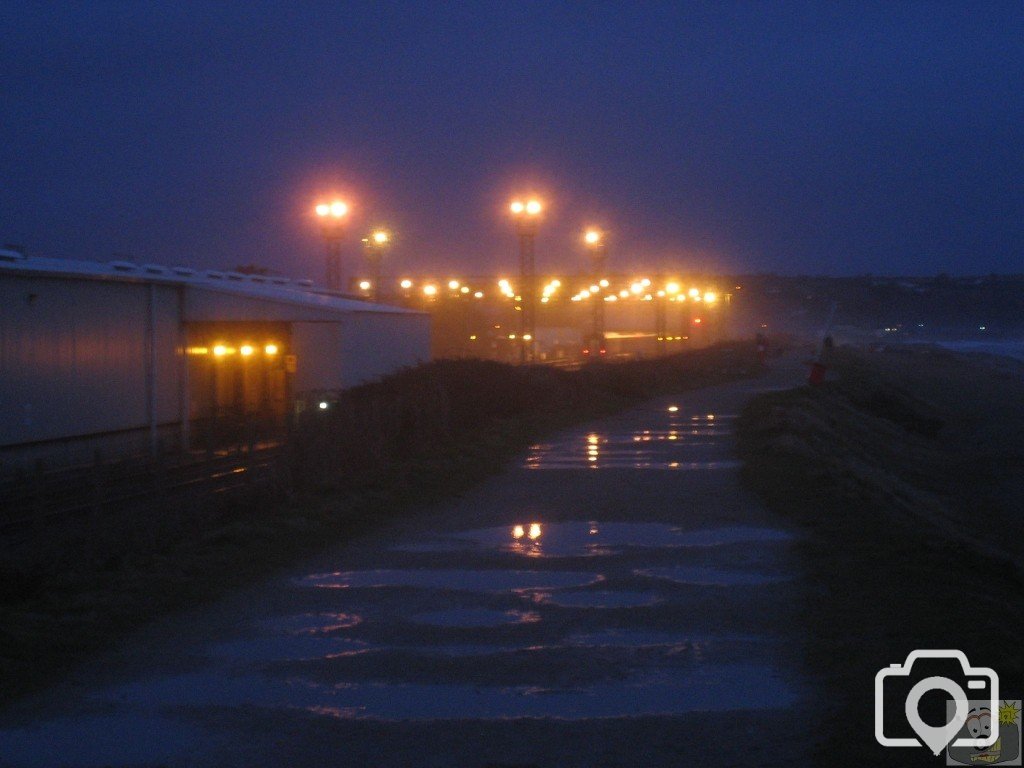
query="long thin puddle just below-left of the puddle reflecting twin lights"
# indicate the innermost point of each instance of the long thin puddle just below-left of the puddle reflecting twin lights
(462, 581)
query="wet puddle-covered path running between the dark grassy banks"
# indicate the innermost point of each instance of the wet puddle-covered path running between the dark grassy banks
(614, 599)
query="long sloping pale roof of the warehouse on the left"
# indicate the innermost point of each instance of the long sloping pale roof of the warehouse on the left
(300, 293)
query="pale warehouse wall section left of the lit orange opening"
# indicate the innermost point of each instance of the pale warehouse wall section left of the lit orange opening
(74, 358)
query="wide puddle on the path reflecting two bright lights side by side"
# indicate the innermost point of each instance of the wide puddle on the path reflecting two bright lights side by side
(592, 539)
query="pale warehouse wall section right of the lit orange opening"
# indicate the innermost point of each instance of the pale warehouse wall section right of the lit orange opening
(362, 348)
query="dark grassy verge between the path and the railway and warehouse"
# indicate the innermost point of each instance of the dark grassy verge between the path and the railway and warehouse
(69, 589)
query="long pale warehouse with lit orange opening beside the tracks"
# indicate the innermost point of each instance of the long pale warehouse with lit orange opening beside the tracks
(124, 358)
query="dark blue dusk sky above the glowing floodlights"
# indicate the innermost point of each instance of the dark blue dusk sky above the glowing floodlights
(793, 138)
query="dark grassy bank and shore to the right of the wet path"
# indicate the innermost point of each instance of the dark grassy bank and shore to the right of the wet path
(907, 476)
